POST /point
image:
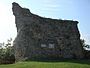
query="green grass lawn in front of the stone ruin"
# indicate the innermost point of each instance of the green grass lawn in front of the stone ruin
(53, 64)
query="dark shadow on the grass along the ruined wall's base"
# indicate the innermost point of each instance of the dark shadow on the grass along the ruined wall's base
(79, 61)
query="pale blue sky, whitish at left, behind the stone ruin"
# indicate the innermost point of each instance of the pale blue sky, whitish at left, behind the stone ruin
(77, 10)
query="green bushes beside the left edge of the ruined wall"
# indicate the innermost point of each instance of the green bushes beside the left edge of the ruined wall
(7, 53)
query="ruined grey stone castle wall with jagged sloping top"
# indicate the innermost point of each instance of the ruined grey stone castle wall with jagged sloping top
(45, 38)
